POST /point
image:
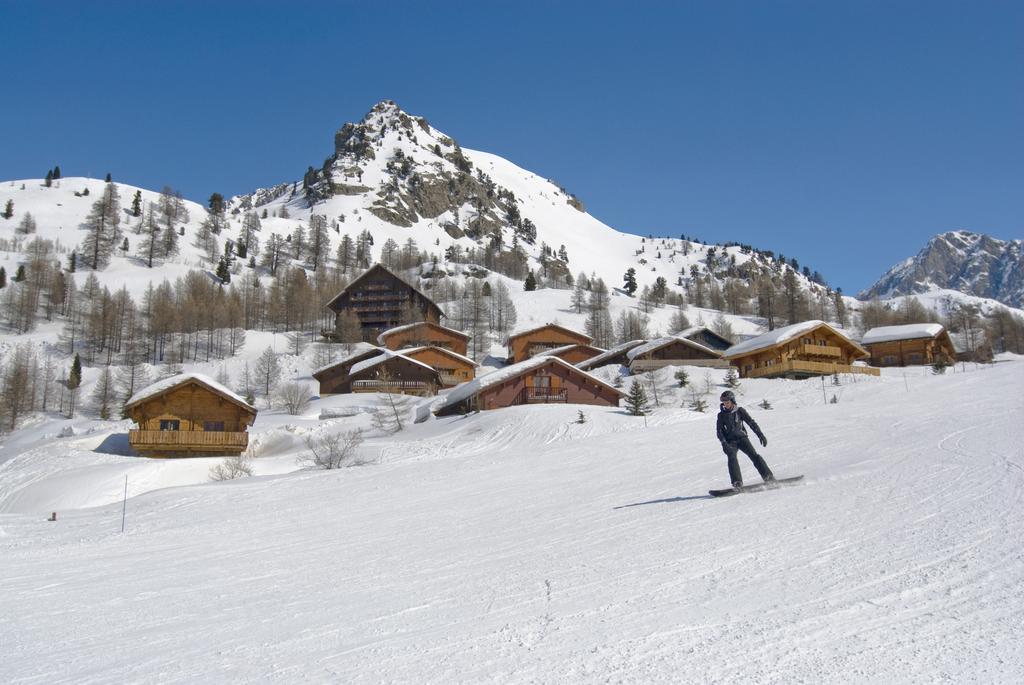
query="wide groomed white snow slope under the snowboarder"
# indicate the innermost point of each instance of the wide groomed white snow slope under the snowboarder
(521, 546)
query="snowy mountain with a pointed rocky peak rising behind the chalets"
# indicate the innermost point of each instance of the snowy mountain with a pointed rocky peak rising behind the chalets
(395, 176)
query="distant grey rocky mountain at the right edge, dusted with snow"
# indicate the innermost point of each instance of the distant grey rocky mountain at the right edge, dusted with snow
(960, 261)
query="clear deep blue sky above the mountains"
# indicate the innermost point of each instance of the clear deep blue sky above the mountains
(844, 135)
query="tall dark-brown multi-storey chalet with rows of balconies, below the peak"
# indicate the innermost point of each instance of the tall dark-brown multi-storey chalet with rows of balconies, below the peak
(381, 301)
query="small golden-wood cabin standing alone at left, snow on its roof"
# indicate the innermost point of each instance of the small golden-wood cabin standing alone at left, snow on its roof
(189, 415)
